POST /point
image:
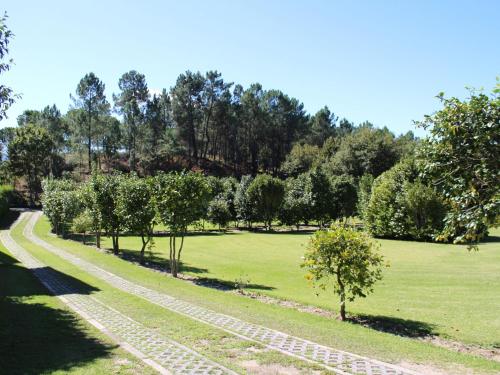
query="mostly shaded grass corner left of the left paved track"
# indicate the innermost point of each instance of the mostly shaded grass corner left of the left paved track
(39, 335)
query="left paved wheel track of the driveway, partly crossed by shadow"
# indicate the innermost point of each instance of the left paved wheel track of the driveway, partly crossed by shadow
(163, 354)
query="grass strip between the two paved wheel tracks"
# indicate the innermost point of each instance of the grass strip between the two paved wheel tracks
(213, 343)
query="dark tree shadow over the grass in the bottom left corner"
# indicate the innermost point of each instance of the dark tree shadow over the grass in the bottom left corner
(34, 337)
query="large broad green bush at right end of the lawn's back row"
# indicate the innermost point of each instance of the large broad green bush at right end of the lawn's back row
(401, 206)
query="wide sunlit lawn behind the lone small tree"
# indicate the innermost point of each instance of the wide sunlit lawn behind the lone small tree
(428, 288)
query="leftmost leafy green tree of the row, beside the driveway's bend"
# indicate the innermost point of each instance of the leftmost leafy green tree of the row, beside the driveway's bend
(61, 204)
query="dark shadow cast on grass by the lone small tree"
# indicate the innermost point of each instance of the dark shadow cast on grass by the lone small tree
(395, 326)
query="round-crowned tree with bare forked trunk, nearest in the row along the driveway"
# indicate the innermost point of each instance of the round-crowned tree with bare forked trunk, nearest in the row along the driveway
(181, 199)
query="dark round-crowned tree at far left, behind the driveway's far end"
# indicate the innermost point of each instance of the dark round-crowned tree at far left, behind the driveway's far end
(29, 157)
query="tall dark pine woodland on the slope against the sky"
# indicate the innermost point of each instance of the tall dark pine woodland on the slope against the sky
(205, 123)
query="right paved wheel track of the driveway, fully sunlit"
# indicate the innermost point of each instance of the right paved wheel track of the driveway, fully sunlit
(335, 360)
